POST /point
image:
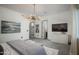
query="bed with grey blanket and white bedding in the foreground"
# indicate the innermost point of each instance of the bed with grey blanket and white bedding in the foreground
(28, 47)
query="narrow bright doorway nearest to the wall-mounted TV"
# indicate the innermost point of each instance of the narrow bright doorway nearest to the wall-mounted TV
(44, 29)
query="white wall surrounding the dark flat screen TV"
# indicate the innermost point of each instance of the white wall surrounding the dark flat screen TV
(63, 17)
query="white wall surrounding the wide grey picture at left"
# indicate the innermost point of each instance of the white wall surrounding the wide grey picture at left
(9, 15)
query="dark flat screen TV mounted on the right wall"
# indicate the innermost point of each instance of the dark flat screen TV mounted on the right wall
(62, 27)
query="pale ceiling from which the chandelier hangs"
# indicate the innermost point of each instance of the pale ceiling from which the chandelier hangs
(41, 9)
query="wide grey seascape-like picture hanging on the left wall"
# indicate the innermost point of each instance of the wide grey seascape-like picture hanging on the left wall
(10, 27)
